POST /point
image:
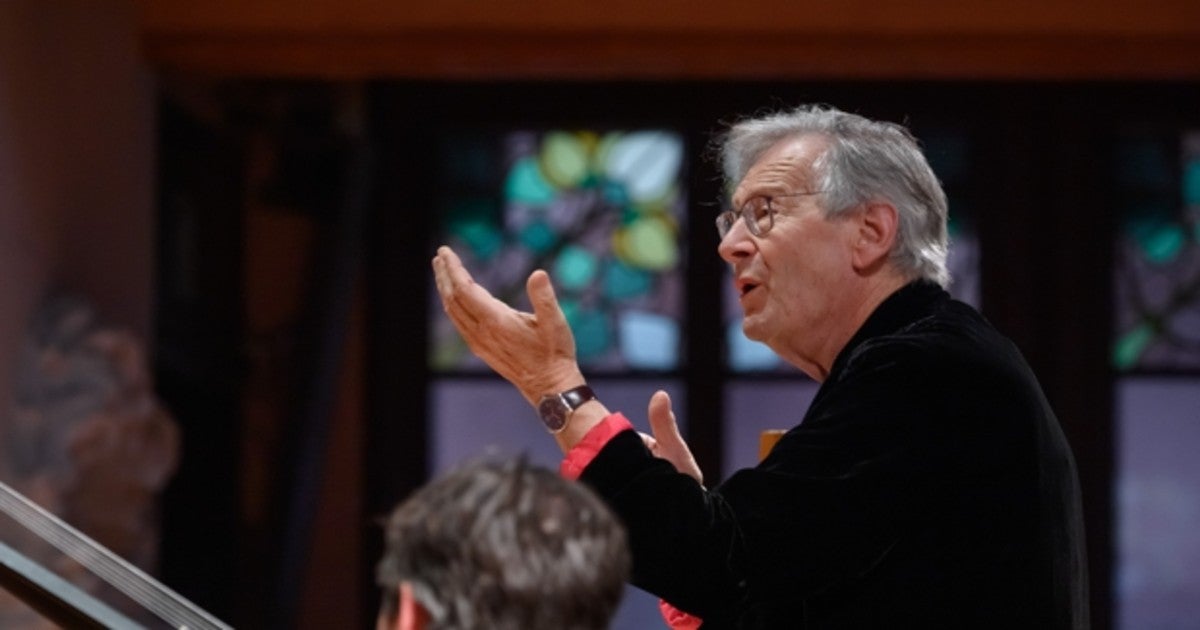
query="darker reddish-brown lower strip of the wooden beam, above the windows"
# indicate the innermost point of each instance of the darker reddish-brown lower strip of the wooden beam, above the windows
(536, 56)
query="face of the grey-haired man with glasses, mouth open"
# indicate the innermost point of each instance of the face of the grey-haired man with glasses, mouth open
(790, 280)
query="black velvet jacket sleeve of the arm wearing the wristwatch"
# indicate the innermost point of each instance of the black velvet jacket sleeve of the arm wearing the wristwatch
(825, 507)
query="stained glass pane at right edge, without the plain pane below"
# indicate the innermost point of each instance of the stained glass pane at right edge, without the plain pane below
(1159, 254)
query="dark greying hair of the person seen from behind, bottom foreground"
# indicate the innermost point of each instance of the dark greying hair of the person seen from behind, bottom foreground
(506, 545)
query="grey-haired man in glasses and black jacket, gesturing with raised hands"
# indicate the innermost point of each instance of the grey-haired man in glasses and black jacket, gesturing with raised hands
(928, 485)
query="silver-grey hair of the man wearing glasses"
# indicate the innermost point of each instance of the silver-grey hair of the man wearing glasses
(867, 160)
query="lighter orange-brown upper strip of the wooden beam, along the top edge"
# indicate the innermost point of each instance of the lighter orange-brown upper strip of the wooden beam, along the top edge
(763, 16)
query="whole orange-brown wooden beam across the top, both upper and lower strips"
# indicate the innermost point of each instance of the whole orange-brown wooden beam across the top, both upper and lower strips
(677, 39)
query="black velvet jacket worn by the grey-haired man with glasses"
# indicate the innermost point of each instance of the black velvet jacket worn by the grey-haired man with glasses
(929, 485)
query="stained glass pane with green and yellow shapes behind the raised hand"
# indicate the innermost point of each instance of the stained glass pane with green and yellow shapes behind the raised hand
(603, 213)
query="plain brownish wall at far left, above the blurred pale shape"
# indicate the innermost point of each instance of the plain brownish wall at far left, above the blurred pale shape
(76, 166)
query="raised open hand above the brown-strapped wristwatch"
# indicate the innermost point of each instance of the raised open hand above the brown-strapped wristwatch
(536, 352)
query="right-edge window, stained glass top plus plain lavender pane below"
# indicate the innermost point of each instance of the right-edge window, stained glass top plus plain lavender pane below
(1157, 350)
